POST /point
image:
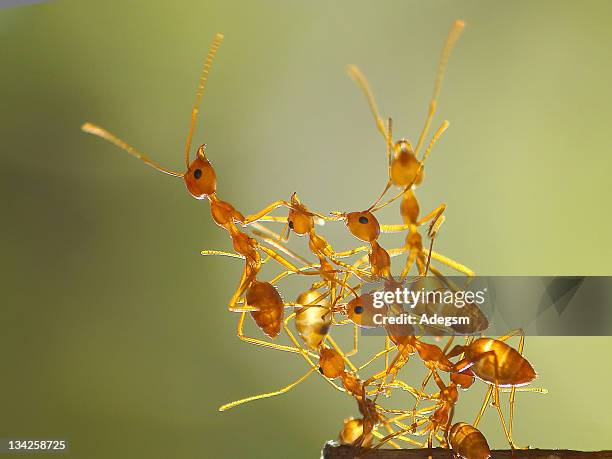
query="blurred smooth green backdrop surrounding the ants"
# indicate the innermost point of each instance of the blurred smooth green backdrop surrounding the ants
(115, 333)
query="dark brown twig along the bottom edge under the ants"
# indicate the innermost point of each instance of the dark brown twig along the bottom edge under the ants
(332, 451)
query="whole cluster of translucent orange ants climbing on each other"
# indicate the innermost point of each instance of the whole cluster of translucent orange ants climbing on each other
(333, 301)
